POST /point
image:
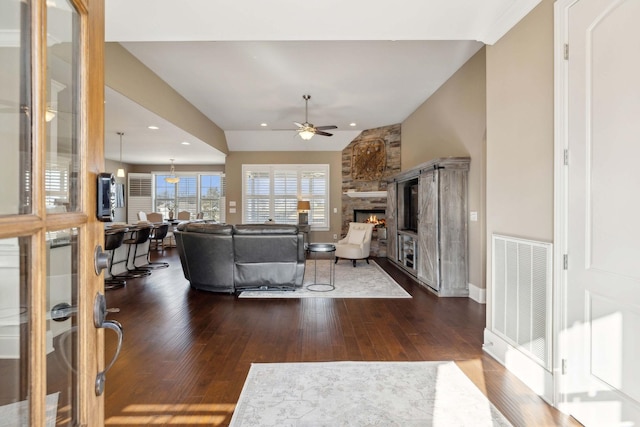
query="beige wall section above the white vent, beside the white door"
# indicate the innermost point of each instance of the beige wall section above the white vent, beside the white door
(520, 124)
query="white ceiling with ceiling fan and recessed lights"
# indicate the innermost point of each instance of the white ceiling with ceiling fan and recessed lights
(248, 62)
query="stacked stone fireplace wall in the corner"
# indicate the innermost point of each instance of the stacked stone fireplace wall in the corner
(391, 137)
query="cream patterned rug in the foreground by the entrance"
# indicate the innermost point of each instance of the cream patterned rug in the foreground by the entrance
(362, 394)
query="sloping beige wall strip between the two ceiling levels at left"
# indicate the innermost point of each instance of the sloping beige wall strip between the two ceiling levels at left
(126, 74)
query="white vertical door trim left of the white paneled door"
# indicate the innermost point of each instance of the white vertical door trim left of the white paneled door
(560, 217)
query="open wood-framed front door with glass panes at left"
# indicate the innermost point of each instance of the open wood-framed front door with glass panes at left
(50, 350)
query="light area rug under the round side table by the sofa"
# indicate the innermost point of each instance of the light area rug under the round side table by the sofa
(363, 281)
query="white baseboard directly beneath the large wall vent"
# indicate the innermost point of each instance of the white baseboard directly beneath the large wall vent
(528, 371)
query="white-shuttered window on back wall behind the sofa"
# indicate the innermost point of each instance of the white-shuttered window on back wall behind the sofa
(273, 191)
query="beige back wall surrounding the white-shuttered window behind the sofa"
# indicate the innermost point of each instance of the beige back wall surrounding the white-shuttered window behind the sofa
(236, 159)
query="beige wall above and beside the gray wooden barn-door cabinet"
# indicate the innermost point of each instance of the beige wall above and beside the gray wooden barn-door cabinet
(452, 122)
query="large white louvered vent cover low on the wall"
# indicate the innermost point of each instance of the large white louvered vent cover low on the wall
(521, 295)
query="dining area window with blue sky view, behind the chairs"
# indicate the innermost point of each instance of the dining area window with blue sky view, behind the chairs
(195, 193)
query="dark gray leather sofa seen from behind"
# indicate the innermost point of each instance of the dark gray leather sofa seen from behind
(233, 258)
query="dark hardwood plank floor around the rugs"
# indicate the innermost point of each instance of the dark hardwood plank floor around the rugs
(187, 353)
